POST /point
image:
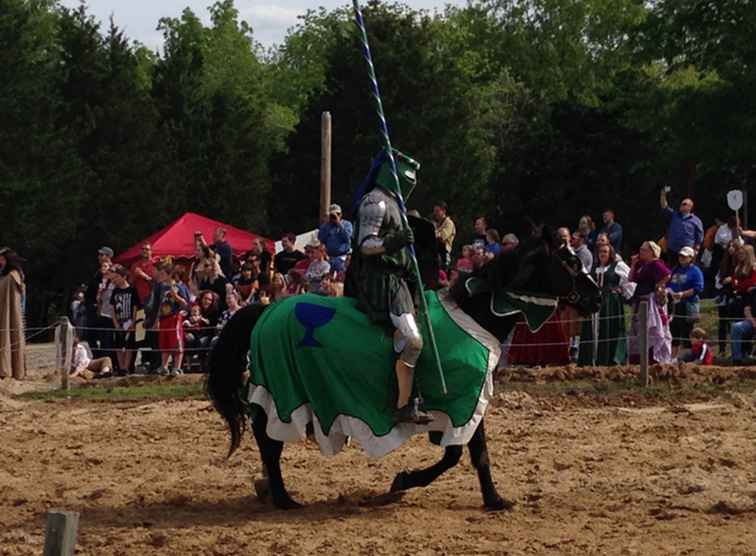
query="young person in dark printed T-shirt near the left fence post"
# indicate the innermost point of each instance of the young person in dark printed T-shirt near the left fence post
(125, 302)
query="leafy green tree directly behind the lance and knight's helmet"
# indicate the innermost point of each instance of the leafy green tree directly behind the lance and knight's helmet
(436, 114)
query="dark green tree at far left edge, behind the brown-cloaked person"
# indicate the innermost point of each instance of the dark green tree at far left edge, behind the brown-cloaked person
(40, 164)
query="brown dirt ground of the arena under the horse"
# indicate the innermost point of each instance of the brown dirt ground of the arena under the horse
(590, 476)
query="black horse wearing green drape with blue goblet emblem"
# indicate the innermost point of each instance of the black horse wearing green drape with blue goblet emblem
(315, 365)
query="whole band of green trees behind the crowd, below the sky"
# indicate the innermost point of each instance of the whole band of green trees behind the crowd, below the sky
(547, 109)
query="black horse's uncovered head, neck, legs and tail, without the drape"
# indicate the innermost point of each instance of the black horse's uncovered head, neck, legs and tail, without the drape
(539, 265)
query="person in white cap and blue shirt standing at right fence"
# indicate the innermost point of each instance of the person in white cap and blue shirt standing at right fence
(685, 285)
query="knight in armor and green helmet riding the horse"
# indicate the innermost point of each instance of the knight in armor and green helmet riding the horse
(381, 268)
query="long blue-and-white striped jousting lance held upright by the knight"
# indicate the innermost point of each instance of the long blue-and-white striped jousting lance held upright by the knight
(383, 127)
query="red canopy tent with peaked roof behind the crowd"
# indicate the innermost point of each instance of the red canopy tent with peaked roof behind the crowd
(177, 239)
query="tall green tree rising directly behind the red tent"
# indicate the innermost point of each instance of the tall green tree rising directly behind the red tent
(218, 118)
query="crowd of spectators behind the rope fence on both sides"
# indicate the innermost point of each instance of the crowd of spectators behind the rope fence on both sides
(172, 311)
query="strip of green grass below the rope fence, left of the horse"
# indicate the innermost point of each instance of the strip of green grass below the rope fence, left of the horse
(157, 391)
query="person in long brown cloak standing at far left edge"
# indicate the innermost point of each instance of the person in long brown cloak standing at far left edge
(12, 339)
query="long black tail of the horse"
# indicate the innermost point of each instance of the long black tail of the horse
(227, 364)
